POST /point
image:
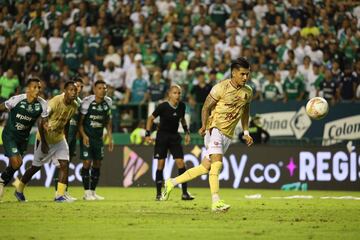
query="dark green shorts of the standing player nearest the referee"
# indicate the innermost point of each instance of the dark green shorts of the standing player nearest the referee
(95, 150)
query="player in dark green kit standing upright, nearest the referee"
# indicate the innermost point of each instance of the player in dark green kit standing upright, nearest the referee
(95, 116)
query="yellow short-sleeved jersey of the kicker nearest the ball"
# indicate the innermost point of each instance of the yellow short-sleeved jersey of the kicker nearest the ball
(231, 103)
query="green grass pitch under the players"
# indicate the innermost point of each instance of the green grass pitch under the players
(133, 214)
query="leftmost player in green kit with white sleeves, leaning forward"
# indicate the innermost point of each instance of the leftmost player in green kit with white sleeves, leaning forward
(24, 110)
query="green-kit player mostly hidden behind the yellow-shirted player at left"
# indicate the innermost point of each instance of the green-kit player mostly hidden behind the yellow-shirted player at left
(71, 132)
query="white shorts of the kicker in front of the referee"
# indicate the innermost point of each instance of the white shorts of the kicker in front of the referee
(216, 142)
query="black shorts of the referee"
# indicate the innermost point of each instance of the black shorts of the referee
(168, 142)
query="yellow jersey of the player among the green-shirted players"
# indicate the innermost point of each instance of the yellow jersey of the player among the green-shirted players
(59, 115)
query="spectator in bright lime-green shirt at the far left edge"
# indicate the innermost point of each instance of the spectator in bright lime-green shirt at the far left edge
(9, 84)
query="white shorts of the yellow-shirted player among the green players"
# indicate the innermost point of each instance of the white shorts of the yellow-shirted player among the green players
(57, 151)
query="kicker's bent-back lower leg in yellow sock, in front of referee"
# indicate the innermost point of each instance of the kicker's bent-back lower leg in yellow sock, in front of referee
(185, 177)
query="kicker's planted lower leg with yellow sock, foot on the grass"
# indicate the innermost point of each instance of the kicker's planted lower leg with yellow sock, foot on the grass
(217, 204)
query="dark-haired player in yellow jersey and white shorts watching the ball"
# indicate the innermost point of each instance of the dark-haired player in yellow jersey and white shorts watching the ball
(227, 103)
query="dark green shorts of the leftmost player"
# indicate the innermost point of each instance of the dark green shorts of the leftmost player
(13, 146)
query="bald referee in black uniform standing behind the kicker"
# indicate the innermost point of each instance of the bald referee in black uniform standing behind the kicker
(168, 138)
